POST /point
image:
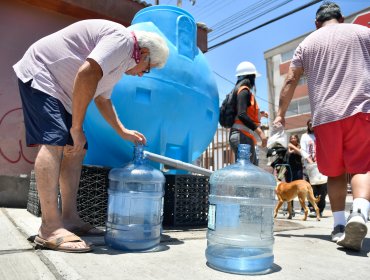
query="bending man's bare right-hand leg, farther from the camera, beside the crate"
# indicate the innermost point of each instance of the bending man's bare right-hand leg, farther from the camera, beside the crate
(69, 180)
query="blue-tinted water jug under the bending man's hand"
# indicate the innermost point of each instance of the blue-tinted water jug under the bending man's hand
(135, 205)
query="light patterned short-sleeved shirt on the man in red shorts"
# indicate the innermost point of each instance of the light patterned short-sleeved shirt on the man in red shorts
(336, 61)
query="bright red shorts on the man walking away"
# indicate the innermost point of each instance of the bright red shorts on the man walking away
(344, 146)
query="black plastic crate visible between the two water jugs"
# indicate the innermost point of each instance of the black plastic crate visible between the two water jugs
(186, 200)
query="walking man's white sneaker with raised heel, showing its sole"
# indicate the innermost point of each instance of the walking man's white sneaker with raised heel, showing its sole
(355, 232)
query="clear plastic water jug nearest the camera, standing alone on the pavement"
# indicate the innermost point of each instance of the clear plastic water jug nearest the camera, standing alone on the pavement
(240, 219)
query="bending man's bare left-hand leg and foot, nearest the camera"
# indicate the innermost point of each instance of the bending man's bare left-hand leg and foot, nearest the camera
(47, 168)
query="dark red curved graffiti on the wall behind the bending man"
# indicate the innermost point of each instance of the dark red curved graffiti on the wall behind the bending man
(13, 148)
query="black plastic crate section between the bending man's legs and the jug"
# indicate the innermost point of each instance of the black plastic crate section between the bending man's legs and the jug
(92, 196)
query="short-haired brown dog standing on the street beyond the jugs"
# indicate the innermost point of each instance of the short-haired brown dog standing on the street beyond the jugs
(288, 191)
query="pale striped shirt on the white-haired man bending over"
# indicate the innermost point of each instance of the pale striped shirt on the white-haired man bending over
(53, 61)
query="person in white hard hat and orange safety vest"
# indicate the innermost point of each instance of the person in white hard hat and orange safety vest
(247, 125)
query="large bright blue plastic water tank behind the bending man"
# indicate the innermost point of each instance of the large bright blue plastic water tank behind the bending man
(175, 107)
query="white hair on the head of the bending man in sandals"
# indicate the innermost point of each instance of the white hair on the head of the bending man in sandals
(156, 44)
